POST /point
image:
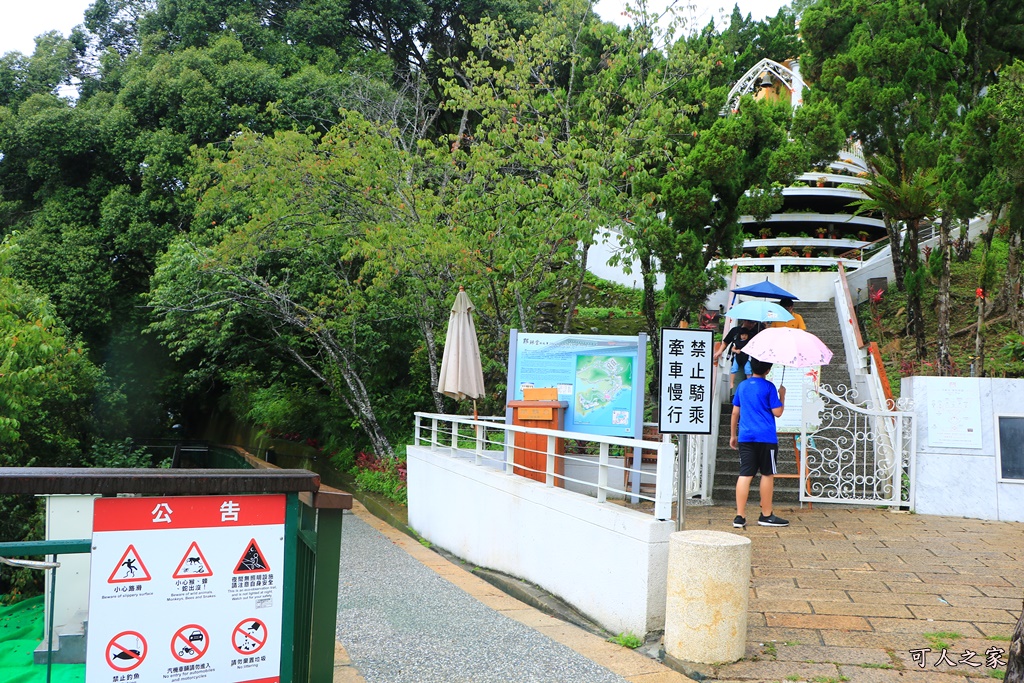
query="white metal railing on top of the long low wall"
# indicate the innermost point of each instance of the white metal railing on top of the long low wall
(493, 444)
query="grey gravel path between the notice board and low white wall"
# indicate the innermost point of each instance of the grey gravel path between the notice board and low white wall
(401, 622)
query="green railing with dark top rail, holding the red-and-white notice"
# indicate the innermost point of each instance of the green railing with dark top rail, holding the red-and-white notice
(313, 542)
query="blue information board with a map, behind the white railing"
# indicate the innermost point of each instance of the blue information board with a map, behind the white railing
(601, 377)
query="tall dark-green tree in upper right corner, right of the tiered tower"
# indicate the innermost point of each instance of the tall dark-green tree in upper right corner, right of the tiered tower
(908, 77)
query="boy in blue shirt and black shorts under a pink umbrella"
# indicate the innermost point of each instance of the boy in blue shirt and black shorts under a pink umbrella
(755, 408)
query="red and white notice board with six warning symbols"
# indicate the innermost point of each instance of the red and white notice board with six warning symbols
(187, 589)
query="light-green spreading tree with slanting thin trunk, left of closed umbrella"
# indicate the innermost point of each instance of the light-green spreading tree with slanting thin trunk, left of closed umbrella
(276, 262)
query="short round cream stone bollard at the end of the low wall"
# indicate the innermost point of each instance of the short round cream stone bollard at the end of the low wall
(708, 596)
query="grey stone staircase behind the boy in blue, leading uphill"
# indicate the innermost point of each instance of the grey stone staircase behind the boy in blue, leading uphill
(822, 321)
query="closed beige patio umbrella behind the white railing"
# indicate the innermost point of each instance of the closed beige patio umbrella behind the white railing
(462, 374)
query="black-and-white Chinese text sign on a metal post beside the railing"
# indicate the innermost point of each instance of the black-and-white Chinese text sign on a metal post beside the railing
(686, 396)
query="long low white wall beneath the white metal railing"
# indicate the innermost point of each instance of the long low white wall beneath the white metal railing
(607, 561)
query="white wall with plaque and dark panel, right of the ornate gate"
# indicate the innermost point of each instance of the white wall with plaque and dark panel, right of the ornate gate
(962, 482)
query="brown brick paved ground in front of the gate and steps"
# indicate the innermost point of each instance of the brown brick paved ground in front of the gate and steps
(849, 594)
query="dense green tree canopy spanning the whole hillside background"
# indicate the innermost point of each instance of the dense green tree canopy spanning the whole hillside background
(267, 208)
